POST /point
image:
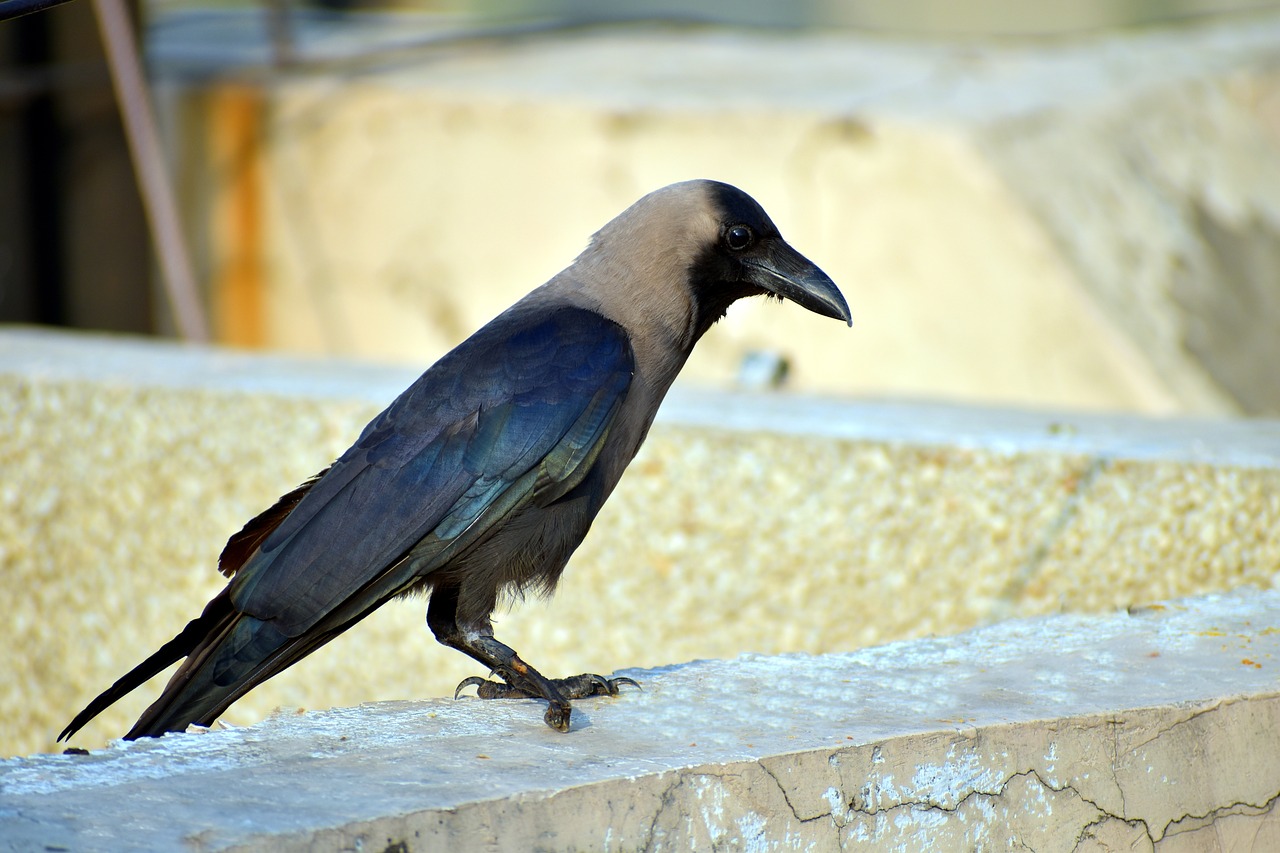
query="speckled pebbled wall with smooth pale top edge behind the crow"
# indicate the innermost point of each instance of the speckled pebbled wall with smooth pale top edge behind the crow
(748, 524)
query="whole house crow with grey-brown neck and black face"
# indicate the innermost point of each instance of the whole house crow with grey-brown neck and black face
(486, 475)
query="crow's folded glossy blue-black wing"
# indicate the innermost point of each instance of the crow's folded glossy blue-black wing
(506, 416)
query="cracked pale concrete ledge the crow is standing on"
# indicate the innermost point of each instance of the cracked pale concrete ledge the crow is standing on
(1150, 731)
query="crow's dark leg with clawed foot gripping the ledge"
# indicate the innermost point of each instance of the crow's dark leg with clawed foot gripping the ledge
(520, 679)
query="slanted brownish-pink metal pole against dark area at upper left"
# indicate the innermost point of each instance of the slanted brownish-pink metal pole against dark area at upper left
(158, 197)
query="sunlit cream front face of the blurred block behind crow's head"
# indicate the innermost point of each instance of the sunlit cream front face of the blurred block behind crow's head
(419, 276)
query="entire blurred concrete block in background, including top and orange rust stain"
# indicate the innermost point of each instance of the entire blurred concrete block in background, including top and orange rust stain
(1085, 222)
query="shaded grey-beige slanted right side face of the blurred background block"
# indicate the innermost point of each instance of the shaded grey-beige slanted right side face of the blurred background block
(1186, 254)
